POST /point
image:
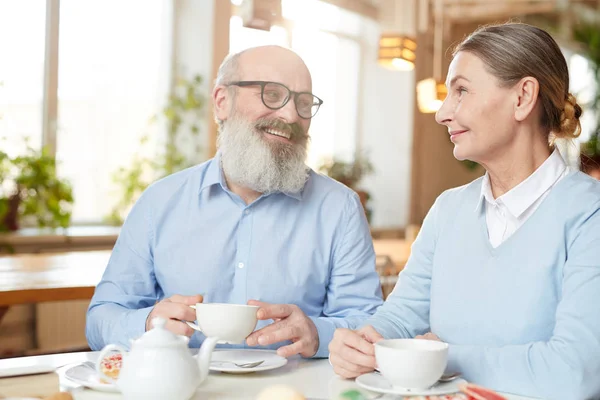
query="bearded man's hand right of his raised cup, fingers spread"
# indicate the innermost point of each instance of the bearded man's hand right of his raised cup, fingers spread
(290, 323)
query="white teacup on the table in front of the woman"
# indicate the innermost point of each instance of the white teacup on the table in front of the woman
(411, 363)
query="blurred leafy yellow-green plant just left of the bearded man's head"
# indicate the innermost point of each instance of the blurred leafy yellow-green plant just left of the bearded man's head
(183, 113)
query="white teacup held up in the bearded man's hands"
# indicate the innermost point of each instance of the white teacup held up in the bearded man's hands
(231, 323)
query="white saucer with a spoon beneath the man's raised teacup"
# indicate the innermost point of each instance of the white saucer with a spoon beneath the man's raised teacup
(272, 360)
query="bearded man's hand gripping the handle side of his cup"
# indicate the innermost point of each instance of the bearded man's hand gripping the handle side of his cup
(175, 309)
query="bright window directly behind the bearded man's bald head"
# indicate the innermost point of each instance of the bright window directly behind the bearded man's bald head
(328, 39)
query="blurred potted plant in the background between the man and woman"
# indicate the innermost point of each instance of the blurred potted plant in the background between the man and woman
(350, 174)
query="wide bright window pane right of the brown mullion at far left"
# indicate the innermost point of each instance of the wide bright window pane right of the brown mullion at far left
(112, 77)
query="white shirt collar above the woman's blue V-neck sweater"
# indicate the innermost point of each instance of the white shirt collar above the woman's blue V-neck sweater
(521, 197)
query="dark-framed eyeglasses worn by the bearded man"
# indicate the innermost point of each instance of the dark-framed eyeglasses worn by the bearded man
(275, 96)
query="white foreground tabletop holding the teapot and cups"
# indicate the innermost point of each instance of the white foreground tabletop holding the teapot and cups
(313, 378)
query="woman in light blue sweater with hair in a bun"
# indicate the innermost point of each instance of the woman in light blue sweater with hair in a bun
(506, 269)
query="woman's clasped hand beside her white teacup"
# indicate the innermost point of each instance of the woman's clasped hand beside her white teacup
(352, 352)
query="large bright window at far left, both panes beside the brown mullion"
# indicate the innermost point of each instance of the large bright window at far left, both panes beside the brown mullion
(114, 70)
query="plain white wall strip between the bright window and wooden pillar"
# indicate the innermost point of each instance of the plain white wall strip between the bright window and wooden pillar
(386, 134)
